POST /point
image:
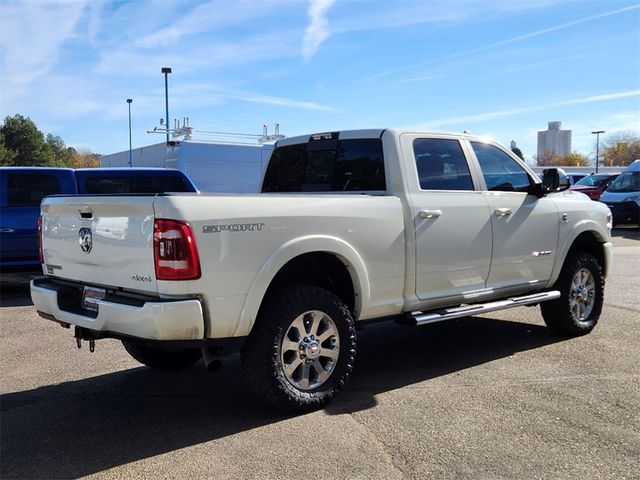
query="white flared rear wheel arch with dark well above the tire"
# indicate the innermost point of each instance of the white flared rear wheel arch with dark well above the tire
(324, 261)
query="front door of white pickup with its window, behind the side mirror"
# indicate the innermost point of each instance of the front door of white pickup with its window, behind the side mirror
(525, 227)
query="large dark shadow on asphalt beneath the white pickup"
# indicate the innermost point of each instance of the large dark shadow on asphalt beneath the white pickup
(87, 426)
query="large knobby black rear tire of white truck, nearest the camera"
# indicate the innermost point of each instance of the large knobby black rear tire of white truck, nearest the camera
(262, 360)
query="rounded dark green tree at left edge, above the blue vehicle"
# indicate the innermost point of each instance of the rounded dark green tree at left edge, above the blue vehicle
(21, 137)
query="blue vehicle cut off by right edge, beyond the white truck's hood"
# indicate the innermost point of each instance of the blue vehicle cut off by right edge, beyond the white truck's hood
(623, 196)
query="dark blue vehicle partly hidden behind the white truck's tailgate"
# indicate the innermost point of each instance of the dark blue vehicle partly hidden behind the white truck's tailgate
(23, 188)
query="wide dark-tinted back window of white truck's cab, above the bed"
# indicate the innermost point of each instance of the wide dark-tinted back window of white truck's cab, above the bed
(345, 166)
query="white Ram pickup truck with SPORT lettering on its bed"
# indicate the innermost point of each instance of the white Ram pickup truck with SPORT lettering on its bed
(350, 226)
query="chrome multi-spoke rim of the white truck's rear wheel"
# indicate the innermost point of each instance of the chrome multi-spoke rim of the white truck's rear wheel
(309, 350)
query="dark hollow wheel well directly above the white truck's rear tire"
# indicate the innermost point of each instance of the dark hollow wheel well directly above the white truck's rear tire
(320, 269)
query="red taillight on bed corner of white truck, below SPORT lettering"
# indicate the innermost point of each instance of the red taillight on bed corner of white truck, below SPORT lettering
(175, 251)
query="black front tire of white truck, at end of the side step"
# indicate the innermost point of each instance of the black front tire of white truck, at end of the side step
(559, 314)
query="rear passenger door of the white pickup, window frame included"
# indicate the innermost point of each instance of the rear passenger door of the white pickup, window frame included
(451, 220)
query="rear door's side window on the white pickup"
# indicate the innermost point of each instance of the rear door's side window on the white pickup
(441, 165)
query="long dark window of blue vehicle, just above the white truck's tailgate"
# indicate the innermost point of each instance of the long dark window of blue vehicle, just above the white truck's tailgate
(135, 184)
